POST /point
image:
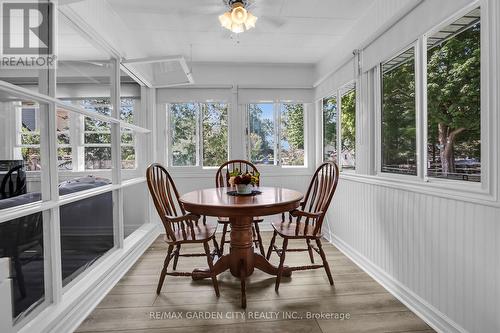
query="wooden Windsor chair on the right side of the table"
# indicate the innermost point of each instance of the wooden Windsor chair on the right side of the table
(306, 221)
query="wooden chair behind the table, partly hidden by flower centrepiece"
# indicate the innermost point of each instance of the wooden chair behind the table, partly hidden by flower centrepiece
(222, 180)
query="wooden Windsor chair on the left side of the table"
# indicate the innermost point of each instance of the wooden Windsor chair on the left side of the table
(181, 227)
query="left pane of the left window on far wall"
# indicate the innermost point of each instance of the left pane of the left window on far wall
(184, 129)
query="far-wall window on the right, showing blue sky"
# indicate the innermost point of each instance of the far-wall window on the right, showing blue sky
(276, 133)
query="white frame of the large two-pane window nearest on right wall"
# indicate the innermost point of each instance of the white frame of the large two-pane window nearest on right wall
(486, 191)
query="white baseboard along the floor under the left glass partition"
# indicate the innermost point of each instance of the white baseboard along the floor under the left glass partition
(67, 315)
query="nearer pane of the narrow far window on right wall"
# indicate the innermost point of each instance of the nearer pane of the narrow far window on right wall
(348, 129)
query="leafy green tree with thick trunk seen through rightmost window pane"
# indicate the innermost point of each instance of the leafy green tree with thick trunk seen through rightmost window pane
(454, 106)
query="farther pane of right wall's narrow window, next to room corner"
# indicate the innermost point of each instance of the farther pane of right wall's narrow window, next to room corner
(330, 129)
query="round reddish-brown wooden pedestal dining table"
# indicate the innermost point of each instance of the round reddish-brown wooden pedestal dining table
(241, 260)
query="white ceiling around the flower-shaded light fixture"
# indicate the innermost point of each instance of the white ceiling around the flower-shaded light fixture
(288, 31)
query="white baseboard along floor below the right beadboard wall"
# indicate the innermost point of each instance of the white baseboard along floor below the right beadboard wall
(432, 316)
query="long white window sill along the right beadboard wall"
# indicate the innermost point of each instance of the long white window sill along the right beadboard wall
(462, 191)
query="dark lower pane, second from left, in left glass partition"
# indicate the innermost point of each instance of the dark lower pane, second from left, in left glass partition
(86, 232)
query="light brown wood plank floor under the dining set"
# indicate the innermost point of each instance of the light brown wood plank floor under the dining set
(133, 306)
